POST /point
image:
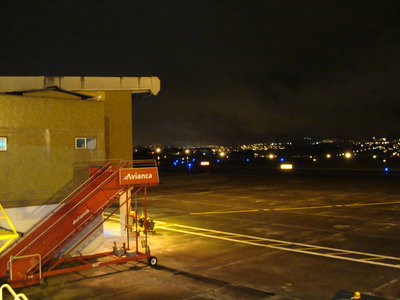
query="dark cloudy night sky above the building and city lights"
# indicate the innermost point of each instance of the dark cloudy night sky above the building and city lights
(231, 71)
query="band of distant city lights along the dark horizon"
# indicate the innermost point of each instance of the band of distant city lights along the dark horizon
(379, 149)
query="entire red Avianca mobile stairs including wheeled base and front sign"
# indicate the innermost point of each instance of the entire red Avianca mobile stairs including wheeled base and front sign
(35, 256)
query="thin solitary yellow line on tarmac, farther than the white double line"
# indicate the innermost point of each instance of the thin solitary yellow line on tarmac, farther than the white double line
(293, 208)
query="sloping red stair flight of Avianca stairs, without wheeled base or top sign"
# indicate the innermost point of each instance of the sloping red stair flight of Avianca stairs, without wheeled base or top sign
(21, 264)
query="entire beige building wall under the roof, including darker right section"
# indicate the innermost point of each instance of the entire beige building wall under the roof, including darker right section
(41, 163)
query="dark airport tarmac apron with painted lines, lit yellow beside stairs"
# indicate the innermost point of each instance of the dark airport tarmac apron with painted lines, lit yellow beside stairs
(349, 212)
